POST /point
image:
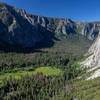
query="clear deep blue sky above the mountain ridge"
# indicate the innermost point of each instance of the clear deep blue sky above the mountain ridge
(76, 10)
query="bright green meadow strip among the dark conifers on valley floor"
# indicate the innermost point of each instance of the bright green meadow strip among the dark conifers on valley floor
(48, 71)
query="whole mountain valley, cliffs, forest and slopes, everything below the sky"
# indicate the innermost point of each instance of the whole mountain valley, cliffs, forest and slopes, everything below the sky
(44, 58)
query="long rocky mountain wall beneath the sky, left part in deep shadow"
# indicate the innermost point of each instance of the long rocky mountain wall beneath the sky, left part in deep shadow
(26, 30)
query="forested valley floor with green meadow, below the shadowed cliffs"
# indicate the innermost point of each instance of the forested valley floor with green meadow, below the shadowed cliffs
(47, 75)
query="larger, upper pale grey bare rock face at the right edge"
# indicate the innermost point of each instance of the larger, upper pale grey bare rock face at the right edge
(94, 51)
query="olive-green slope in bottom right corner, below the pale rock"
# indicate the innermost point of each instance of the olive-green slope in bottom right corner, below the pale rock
(82, 90)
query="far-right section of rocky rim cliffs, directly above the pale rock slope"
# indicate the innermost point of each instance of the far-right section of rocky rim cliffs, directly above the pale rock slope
(90, 30)
